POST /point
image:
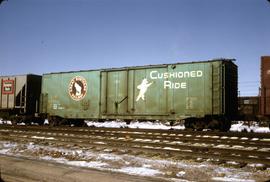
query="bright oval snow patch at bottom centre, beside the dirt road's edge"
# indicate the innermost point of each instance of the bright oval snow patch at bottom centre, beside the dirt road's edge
(142, 171)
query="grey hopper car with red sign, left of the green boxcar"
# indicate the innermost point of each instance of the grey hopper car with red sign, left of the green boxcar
(19, 97)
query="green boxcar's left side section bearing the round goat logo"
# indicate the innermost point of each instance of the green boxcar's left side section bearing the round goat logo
(72, 95)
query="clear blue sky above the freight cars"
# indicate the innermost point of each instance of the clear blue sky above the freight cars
(42, 36)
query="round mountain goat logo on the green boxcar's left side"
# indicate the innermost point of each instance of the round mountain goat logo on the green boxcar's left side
(77, 88)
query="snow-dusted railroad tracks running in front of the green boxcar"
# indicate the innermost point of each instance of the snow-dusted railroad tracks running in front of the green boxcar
(240, 147)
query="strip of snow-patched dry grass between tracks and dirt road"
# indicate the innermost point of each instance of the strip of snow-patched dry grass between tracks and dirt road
(122, 161)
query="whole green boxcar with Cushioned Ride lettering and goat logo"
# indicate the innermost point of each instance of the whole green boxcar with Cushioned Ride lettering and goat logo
(204, 94)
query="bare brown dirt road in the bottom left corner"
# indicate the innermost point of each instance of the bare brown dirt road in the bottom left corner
(25, 170)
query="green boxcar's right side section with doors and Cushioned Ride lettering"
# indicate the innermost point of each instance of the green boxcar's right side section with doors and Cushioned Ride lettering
(172, 92)
